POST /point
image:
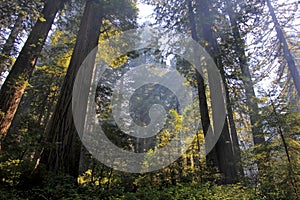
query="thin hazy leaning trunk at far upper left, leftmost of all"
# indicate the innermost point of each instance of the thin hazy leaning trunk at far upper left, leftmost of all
(5, 61)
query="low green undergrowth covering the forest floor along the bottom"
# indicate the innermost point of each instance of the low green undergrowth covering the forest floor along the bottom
(20, 181)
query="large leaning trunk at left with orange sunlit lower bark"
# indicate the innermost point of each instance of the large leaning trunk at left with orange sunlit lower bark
(16, 82)
